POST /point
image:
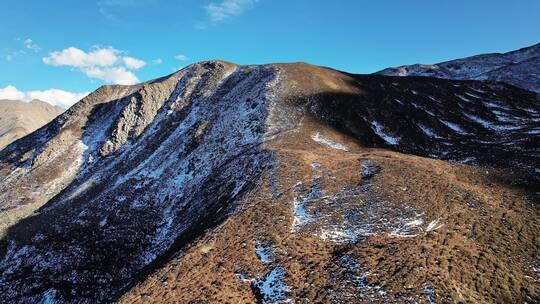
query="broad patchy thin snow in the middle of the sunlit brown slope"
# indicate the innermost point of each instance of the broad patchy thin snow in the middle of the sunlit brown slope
(350, 214)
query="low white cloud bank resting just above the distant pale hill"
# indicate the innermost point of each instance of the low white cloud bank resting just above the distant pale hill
(55, 97)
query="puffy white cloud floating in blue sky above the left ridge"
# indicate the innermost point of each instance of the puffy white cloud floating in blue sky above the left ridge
(105, 64)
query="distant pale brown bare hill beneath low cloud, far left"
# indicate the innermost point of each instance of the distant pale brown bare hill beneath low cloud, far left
(18, 118)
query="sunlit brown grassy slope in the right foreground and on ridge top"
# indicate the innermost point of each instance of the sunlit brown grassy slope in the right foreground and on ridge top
(483, 249)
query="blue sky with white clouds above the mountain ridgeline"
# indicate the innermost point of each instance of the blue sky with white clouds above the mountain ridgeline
(75, 46)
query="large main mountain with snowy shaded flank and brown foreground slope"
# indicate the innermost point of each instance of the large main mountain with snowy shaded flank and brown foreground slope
(276, 183)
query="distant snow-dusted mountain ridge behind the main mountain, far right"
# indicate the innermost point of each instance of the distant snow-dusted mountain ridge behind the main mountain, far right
(520, 68)
